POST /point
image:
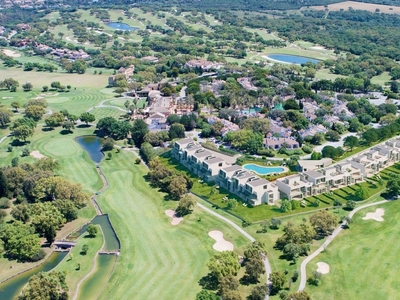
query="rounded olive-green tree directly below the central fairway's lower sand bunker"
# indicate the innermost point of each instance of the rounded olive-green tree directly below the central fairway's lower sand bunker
(223, 264)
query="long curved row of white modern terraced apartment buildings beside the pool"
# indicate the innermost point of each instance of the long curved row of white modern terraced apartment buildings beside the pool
(316, 177)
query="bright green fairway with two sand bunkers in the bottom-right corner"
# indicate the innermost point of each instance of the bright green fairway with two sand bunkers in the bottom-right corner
(363, 260)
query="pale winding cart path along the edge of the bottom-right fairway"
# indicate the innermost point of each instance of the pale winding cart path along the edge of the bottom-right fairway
(303, 273)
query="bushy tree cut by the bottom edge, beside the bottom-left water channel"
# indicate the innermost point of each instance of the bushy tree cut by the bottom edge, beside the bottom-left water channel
(46, 285)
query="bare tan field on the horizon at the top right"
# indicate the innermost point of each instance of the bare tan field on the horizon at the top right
(361, 6)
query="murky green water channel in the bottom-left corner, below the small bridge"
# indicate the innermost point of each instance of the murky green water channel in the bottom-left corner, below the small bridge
(12, 287)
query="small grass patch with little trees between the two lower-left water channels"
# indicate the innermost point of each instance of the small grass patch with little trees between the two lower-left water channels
(70, 263)
